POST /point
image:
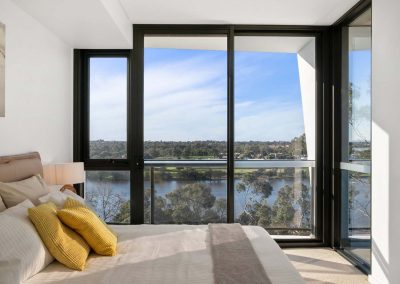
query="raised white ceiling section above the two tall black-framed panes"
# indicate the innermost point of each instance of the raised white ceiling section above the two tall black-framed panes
(270, 12)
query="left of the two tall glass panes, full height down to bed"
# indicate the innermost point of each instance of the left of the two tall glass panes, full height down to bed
(185, 119)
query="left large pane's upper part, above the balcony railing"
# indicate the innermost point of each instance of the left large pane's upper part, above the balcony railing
(185, 97)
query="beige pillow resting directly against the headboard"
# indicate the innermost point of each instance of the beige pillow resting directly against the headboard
(14, 193)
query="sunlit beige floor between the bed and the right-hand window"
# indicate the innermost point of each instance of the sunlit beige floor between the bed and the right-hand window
(323, 265)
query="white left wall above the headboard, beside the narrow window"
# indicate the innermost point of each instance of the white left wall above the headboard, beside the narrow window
(38, 89)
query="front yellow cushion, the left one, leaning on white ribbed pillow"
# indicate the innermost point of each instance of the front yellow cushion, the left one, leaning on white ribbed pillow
(64, 244)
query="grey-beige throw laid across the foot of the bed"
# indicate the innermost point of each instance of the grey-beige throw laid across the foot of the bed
(234, 259)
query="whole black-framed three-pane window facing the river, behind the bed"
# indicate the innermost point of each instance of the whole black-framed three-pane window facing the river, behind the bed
(205, 124)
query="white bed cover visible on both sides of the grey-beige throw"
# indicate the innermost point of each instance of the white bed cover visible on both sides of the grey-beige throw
(167, 254)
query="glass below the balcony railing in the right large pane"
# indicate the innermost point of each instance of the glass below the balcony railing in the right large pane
(278, 199)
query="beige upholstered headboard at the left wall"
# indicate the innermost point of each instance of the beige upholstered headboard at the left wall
(19, 167)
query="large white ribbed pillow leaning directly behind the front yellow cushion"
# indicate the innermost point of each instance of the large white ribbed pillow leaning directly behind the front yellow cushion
(19, 241)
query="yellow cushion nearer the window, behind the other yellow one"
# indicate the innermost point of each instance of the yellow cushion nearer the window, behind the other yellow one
(86, 223)
